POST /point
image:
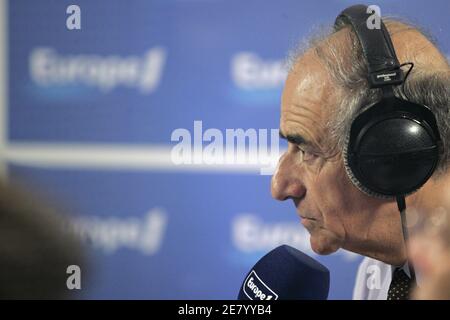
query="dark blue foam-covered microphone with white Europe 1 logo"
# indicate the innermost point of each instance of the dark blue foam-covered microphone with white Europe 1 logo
(286, 273)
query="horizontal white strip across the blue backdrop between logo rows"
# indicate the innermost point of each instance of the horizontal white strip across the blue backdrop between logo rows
(112, 157)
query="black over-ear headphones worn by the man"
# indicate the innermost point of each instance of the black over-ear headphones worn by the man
(393, 146)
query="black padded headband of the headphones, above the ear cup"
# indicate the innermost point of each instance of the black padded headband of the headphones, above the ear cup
(383, 66)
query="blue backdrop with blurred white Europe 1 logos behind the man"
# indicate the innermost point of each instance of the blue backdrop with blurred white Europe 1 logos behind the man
(90, 115)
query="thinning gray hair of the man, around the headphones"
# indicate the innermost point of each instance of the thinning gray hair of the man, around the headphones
(348, 68)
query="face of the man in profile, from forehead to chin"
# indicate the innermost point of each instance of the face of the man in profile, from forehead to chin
(335, 213)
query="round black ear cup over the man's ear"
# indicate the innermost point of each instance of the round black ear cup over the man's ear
(392, 148)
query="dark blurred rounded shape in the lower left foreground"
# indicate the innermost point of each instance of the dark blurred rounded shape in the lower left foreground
(35, 248)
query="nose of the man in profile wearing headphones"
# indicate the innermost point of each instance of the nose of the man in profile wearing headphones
(287, 182)
